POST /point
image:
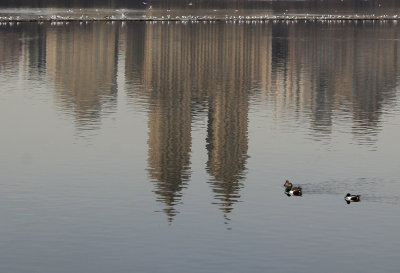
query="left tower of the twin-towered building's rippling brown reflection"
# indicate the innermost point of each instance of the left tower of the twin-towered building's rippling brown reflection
(165, 81)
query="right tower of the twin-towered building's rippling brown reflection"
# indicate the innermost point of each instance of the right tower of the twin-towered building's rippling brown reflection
(236, 60)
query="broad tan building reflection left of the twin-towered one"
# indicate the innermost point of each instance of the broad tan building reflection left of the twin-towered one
(81, 61)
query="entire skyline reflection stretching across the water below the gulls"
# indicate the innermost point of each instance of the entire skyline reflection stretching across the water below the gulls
(180, 70)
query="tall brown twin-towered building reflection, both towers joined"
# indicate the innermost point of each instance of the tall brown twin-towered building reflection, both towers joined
(193, 69)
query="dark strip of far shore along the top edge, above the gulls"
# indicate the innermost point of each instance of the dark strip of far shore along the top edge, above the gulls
(348, 5)
